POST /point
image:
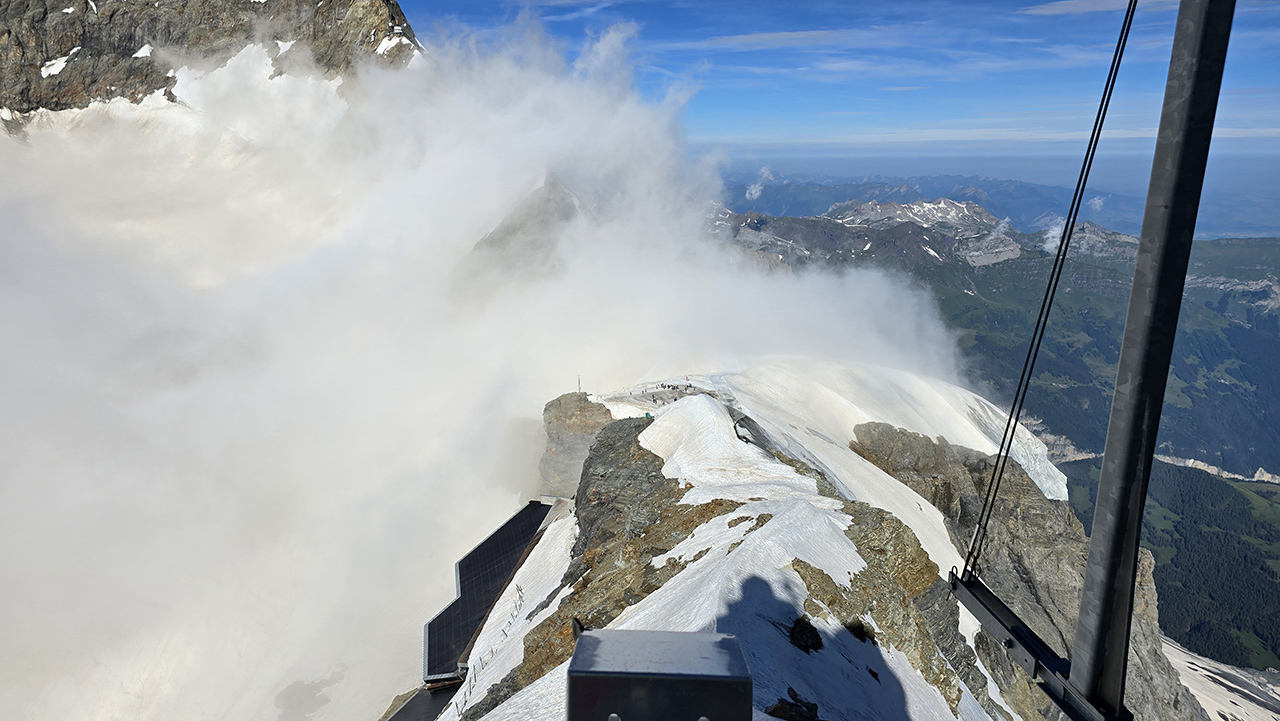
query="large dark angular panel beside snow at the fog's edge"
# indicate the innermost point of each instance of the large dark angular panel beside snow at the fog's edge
(482, 577)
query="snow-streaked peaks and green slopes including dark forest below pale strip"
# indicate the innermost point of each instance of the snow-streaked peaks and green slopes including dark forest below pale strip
(1223, 405)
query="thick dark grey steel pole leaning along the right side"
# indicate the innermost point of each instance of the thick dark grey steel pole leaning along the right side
(1101, 650)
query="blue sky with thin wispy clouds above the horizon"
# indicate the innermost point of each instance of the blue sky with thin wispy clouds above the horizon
(908, 79)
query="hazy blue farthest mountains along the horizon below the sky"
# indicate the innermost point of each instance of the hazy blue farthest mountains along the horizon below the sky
(1027, 207)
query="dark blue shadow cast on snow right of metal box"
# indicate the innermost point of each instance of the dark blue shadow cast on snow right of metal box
(811, 669)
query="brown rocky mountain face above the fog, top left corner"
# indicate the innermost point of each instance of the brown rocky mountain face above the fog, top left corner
(63, 54)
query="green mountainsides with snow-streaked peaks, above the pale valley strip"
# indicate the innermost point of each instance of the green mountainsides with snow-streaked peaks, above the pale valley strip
(989, 279)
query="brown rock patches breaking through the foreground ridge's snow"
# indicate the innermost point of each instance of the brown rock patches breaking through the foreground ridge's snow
(629, 514)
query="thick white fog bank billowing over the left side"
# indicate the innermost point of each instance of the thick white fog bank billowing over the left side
(246, 427)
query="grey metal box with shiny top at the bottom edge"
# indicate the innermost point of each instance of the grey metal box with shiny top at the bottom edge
(621, 676)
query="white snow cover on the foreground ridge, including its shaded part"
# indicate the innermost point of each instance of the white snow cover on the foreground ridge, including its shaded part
(811, 408)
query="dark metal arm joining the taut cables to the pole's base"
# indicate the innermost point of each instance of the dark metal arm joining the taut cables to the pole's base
(1028, 650)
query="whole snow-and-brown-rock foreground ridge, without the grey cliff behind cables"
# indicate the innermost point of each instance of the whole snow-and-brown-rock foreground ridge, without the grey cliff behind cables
(755, 514)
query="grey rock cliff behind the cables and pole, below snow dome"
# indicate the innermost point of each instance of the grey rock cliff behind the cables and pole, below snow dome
(1034, 559)
